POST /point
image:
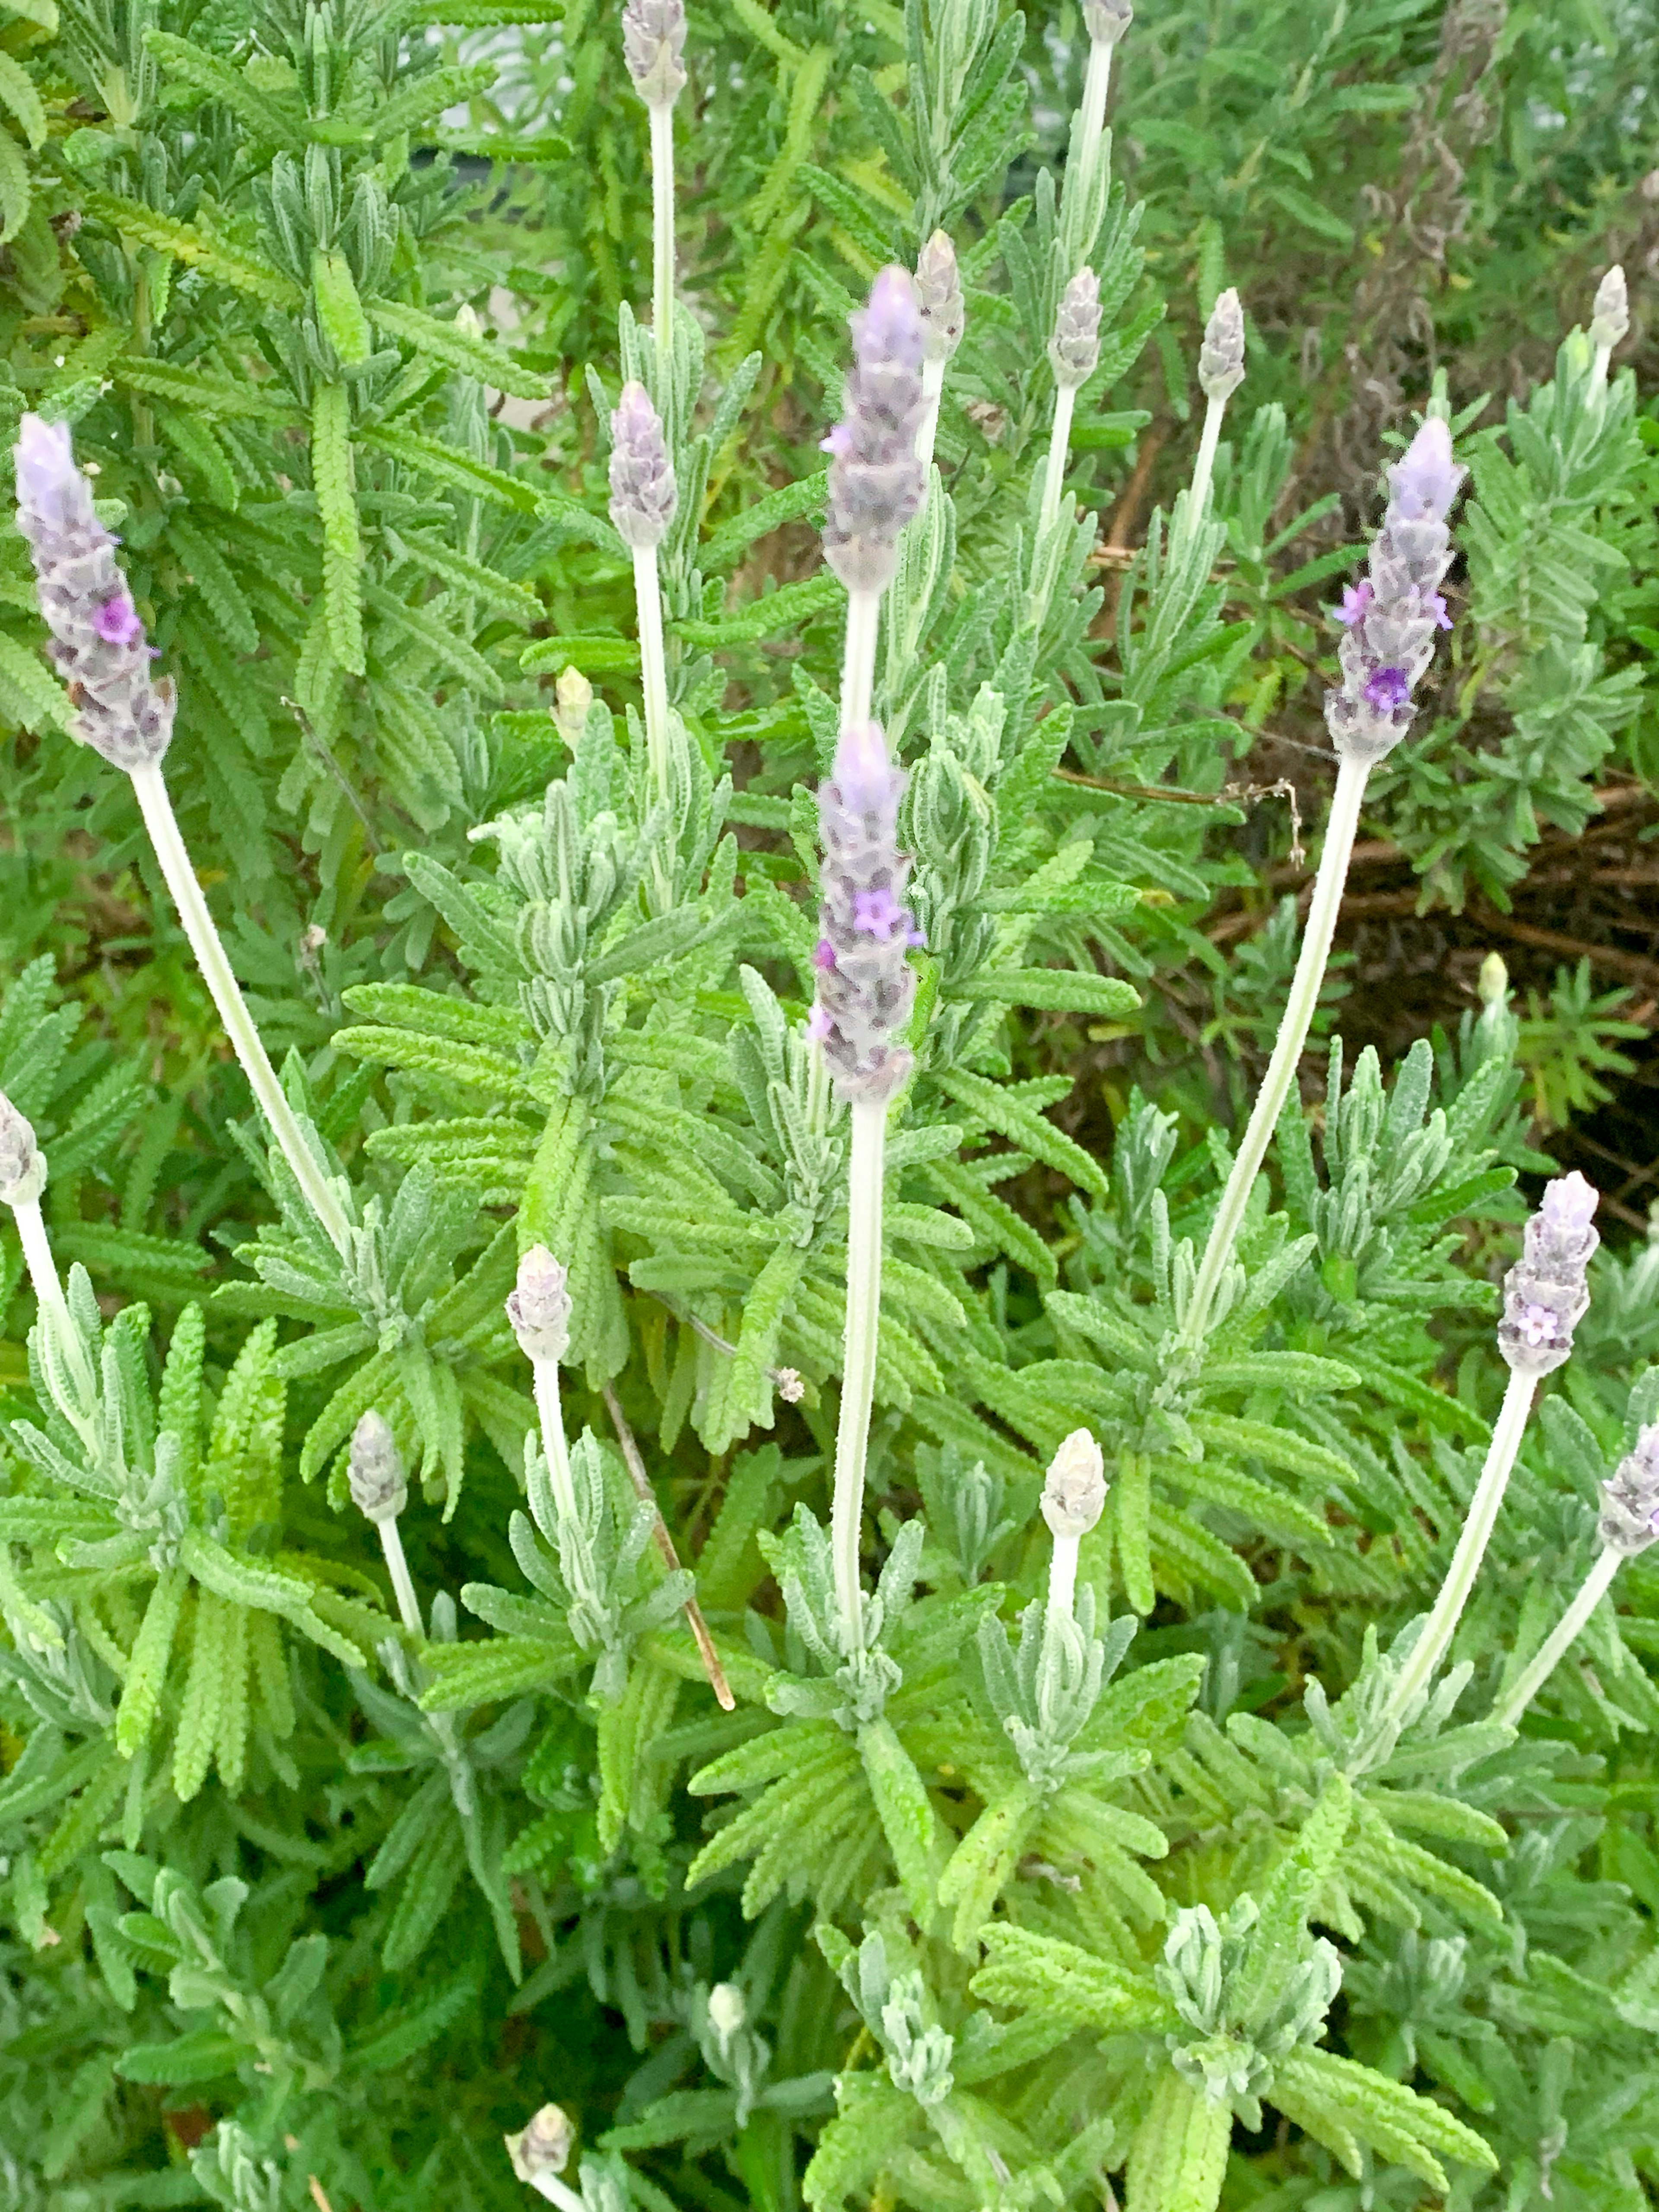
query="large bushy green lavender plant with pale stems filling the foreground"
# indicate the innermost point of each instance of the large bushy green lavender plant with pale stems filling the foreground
(720, 1603)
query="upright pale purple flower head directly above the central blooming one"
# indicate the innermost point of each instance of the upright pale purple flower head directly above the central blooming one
(875, 477)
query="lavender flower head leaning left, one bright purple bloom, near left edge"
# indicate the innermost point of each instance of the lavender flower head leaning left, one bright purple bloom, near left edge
(98, 638)
